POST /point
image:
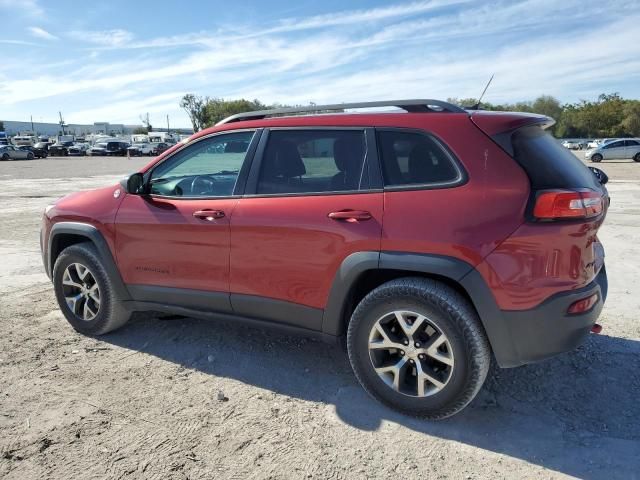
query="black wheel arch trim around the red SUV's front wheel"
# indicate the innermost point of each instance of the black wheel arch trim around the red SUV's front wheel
(65, 234)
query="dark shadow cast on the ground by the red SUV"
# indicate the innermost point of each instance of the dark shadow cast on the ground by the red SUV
(578, 414)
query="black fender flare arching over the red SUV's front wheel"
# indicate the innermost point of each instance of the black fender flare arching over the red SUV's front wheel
(93, 235)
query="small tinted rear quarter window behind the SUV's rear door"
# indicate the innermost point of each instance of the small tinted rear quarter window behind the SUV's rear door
(410, 158)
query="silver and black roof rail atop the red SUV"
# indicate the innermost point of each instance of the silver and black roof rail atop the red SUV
(412, 106)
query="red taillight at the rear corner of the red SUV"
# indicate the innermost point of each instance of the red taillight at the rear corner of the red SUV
(564, 204)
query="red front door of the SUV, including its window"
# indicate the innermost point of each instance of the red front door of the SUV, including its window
(173, 244)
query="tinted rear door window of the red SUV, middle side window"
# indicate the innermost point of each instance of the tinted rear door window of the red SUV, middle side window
(308, 161)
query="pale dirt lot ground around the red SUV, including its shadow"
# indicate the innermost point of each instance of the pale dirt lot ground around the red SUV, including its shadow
(182, 398)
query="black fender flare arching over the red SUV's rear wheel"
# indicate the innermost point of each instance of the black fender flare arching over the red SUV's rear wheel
(454, 269)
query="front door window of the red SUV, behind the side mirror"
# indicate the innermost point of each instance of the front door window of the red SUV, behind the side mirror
(207, 168)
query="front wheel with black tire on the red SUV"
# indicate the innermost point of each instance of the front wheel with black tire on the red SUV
(109, 314)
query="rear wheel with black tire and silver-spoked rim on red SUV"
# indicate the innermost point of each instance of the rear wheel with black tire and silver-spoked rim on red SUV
(444, 313)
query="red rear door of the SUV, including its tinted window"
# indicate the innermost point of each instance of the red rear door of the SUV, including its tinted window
(309, 205)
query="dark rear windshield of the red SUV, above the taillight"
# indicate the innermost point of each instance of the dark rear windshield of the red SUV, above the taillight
(547, 163)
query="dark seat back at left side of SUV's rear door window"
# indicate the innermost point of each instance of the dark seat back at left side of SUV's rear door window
(282, 168)
